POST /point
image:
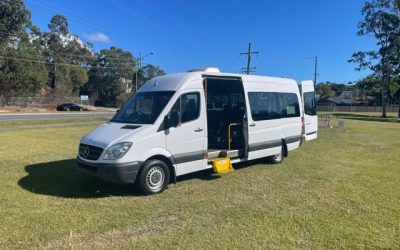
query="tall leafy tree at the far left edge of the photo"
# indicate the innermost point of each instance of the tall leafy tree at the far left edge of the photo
(19, 39)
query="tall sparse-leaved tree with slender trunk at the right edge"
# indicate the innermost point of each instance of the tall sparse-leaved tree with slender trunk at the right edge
(381, 22)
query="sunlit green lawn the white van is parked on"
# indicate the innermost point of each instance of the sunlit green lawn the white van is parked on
(340, 191)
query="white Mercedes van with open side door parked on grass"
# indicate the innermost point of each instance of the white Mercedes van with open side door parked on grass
(182, 123)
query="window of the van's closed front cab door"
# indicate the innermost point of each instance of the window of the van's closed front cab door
(185, 109)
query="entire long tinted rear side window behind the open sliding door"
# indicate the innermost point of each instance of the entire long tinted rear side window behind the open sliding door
(272, 105)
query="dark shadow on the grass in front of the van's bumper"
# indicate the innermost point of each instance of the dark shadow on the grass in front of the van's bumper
(62, 179)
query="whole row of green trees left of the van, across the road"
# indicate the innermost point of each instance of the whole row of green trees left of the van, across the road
(58, 63)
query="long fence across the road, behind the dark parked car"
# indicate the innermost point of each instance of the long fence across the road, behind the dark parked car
(41, 102)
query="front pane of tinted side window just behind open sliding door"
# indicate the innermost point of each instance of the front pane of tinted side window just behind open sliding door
(264, 106)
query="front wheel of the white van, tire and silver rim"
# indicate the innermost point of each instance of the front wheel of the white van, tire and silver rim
(153, 177)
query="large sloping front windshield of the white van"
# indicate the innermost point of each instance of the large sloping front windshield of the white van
(143, 107)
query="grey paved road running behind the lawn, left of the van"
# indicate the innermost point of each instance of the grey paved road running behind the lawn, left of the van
(46, 116)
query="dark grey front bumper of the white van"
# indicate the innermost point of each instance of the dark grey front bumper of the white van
(110, 172)
